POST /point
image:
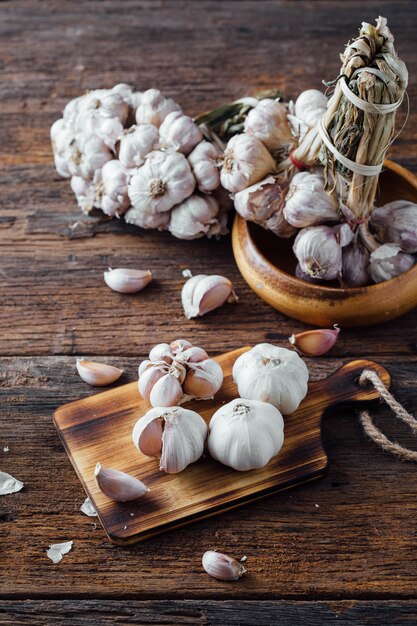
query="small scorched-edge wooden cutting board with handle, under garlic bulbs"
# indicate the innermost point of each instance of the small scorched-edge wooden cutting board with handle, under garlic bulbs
(99, 429)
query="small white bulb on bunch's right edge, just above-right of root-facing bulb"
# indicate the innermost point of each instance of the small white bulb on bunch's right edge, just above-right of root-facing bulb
(179, 132)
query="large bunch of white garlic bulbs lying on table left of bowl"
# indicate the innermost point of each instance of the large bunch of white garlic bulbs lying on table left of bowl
(139, 156)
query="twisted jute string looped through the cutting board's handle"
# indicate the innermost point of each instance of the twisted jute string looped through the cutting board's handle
(404, 454)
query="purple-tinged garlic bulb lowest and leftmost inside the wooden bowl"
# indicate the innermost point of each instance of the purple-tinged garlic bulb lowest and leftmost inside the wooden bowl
(319, 250)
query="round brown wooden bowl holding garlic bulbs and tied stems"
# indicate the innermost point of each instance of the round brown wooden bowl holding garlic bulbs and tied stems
(267, 263)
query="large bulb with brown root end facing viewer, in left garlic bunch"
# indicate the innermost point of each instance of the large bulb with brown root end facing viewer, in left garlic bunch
(164, 180)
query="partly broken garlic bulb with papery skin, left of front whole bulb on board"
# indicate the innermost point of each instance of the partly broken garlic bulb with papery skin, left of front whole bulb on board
(174, 434)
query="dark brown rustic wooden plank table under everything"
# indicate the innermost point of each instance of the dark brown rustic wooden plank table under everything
(341, 550)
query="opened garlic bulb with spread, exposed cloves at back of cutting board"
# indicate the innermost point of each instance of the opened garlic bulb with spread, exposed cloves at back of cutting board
(177, 372)
